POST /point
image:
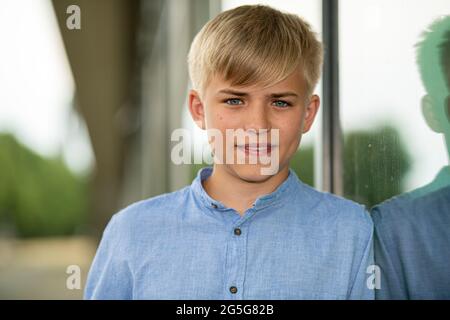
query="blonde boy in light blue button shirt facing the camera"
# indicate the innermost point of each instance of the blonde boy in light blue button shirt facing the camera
(236, 233)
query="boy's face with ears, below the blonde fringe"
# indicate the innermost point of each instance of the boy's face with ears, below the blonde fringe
(283, 107)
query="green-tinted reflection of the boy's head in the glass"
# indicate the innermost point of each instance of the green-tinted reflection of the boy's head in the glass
(433, 58)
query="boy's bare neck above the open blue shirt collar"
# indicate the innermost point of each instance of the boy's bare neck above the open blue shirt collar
(239, 194)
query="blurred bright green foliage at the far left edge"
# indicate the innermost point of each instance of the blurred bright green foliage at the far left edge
(39, 196)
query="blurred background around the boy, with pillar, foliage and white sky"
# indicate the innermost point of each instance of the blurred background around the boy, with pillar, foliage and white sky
(86, 117)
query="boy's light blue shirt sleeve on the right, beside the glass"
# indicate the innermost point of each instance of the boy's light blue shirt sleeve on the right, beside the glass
(361, 290)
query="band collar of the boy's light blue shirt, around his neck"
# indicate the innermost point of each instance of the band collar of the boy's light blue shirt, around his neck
(279, 194)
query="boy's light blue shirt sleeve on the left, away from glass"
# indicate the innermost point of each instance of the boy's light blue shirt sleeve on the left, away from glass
(110, 276)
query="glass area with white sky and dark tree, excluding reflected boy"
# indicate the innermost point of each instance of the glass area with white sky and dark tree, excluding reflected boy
(389, 148)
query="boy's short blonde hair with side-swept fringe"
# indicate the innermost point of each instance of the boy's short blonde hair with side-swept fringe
(254, 44)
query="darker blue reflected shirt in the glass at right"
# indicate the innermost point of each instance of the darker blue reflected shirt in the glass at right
(412, 242)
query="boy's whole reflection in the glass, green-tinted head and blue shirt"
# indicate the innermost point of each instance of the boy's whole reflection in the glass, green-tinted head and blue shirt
(413, 230)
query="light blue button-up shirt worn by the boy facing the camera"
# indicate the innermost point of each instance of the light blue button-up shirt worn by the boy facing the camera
(294, 243)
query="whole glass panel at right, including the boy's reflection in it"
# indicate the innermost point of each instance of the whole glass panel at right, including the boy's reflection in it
(395, 106)
